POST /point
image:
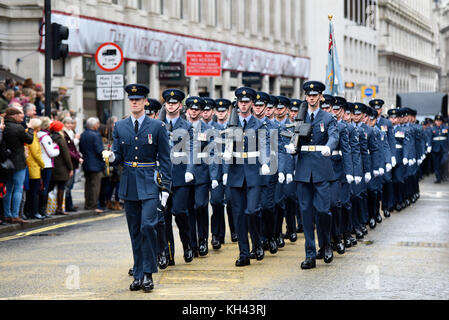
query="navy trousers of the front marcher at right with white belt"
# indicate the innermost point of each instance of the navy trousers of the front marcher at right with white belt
(314, 203)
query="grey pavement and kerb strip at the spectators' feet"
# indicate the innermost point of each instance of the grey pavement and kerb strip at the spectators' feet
(78, 201)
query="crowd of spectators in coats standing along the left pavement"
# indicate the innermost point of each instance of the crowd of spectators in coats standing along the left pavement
(43, 155)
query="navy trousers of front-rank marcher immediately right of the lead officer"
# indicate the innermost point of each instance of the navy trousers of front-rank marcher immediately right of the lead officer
(177, 207)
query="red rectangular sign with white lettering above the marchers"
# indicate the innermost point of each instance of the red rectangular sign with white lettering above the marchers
(203, 64)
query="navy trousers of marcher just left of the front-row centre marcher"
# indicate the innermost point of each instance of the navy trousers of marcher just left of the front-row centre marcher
(217, 220)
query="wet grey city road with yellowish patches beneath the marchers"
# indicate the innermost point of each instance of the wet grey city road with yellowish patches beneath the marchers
(405, 257)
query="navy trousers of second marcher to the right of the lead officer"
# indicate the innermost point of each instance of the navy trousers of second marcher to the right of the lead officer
(199, 213)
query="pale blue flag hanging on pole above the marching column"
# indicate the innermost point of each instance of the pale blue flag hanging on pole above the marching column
(334, 83)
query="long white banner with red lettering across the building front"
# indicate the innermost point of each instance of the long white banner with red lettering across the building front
(152, 46)
